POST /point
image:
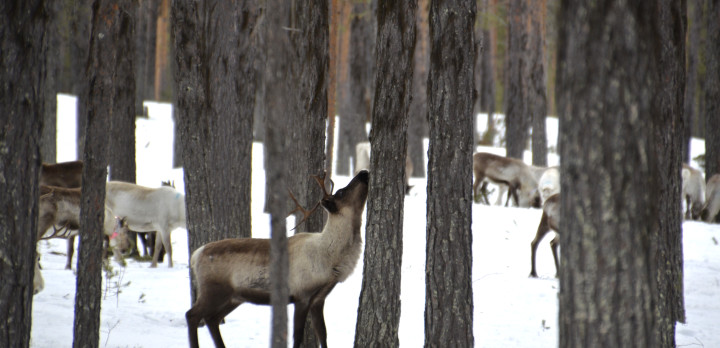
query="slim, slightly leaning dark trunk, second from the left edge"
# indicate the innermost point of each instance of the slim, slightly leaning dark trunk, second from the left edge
(102, 65)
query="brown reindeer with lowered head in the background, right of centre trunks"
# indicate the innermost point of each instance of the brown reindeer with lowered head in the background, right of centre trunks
(521, 181)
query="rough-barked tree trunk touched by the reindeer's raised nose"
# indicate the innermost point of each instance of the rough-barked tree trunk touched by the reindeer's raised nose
(379, 308)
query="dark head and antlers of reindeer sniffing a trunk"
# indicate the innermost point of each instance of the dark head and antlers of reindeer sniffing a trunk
(353, 195)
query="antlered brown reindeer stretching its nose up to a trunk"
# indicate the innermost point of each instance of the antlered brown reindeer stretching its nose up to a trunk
(231, 272)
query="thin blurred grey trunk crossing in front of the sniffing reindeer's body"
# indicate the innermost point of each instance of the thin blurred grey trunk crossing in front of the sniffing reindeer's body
(278, 80)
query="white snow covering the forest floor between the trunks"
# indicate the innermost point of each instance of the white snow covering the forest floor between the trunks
(145, 307)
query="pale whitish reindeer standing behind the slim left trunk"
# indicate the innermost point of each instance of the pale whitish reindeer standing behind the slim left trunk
(147, 209)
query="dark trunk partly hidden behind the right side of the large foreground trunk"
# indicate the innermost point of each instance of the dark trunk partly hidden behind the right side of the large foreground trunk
(668, 126)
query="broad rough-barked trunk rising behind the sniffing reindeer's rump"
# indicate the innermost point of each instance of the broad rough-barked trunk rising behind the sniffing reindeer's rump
(216, 89)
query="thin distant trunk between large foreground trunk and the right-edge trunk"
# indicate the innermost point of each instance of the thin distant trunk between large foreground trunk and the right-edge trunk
(694, 15)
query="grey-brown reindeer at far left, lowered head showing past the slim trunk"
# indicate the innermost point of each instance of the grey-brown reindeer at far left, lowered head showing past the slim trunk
(61, 207)
